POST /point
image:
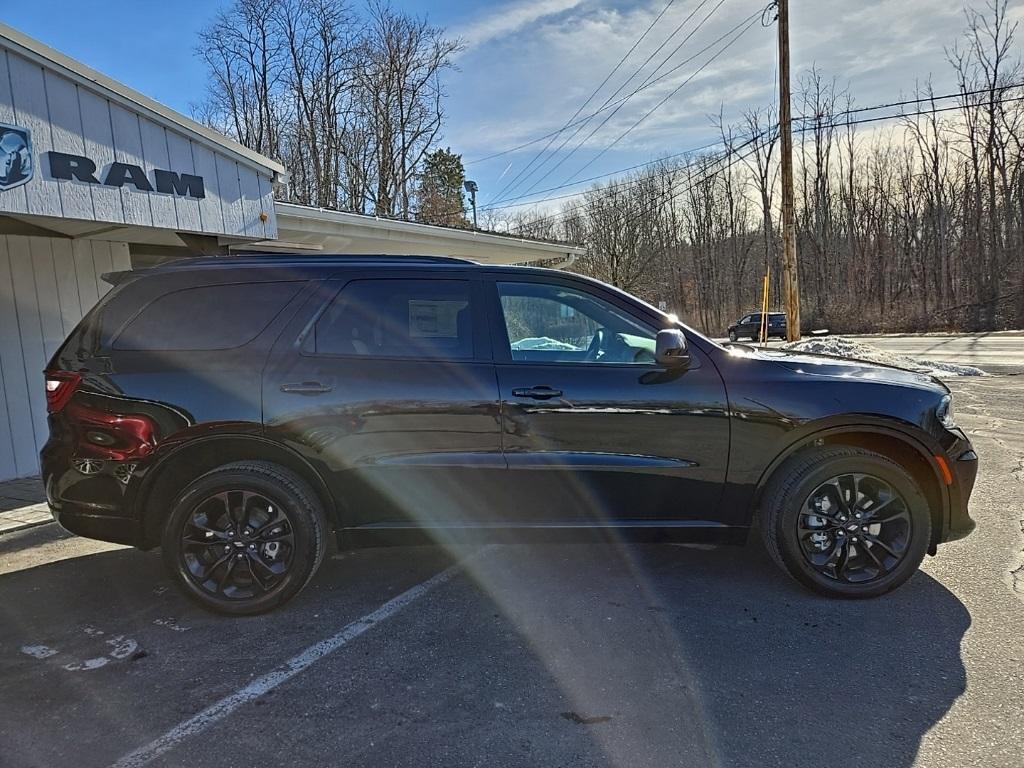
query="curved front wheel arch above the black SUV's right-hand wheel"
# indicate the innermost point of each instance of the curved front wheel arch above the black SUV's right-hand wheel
(907, 449)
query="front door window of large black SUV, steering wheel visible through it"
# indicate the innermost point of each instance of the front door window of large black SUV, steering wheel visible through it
(553, 324)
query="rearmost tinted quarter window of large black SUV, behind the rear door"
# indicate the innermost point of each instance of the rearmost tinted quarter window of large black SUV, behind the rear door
(206, 318)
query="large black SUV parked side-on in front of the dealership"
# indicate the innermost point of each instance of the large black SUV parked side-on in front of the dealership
(239, 412)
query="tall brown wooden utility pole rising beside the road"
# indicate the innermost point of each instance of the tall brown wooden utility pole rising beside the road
(791, 277)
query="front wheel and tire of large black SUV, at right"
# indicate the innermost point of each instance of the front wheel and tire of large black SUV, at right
(879, 557)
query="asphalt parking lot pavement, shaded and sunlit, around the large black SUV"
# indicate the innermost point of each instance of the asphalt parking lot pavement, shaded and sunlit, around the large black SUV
(530, 656)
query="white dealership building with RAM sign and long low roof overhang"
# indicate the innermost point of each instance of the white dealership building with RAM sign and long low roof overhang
(97, 178)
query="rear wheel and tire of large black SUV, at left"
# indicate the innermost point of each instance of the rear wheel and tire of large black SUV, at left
(258, 558)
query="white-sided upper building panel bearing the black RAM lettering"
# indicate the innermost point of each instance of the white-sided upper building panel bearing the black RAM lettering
(71, 150)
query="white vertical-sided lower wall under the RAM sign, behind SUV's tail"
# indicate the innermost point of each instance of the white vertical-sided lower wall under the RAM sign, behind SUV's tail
(47, 285)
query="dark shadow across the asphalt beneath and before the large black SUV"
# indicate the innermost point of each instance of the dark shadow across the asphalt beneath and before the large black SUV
(619, 655)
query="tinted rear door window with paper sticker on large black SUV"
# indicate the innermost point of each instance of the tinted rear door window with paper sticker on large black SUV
(399, 319)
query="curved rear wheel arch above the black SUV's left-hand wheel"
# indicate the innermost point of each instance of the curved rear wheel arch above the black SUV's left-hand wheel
(187, 462)
